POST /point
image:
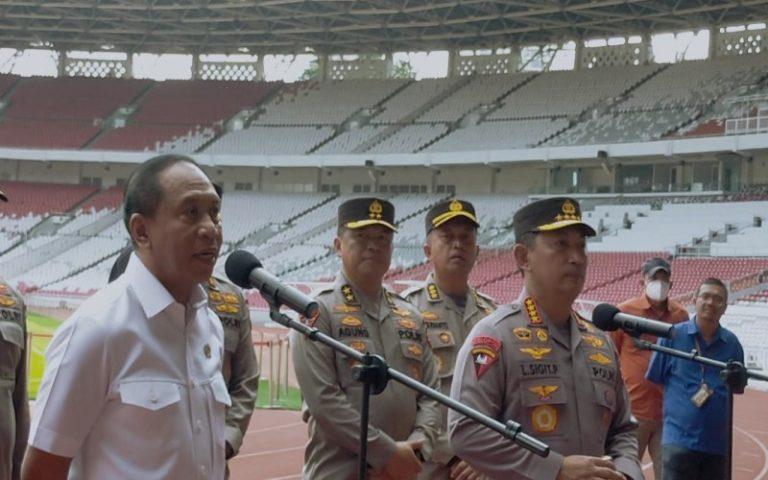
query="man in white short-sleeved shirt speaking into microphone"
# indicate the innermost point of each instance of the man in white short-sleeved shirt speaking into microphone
(133, 385)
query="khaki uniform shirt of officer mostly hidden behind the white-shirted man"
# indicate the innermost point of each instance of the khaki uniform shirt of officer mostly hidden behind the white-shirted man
(240, 369)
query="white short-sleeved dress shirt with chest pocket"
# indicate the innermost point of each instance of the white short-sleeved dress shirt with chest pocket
(133, 385)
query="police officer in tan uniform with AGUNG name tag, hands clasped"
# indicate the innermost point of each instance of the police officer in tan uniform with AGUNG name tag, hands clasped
(359, 312)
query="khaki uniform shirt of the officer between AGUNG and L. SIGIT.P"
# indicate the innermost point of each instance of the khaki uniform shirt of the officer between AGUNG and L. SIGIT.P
(447, 326)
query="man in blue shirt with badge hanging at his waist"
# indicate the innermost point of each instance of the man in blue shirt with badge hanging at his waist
(695, 438)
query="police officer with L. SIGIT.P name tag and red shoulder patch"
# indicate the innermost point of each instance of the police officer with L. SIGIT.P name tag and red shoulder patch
(540, 364)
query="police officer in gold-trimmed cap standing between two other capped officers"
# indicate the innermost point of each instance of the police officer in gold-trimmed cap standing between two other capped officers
(450, 308)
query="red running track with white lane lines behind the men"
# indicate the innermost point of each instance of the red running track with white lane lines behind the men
(274, 445)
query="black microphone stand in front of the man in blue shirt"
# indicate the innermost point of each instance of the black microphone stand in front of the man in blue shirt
(734, 375)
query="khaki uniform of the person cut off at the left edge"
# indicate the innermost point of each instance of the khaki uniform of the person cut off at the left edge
(14, 411)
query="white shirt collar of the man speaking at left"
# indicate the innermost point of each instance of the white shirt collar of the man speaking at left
(151, 293)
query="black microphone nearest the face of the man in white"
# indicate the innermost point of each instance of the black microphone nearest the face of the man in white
(245, 271)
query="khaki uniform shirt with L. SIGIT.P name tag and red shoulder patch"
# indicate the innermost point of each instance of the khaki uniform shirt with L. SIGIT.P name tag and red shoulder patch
(567, 392)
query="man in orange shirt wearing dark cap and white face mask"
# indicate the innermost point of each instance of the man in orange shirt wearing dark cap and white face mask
(646, 397)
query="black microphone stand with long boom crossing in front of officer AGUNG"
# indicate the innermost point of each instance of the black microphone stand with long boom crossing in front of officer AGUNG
(374, 373)
